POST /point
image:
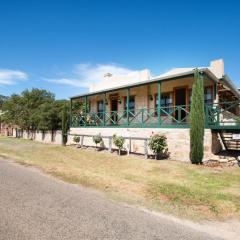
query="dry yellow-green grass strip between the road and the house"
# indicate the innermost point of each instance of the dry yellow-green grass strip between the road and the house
(180, 189)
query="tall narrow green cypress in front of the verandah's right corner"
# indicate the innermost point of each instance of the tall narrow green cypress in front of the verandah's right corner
(197, 117)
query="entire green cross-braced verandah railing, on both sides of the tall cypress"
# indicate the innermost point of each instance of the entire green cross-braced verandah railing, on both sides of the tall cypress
(174, 116)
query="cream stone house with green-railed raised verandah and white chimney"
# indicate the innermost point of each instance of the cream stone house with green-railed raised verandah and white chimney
(138, 105)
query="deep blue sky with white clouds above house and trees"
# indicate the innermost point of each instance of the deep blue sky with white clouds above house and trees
(65, 45)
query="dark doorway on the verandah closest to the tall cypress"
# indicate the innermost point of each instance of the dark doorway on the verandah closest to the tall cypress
(180, 103)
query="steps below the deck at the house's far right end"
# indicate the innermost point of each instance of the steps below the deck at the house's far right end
(228, 140)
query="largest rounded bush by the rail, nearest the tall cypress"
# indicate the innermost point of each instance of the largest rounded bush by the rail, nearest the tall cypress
(158, 144)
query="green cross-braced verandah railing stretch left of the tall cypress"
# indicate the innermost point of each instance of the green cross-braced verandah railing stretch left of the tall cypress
(169, 116)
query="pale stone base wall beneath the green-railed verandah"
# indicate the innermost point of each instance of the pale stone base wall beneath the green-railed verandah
(178, 140)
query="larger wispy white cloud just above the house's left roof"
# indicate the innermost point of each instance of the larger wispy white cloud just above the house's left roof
(86, 74)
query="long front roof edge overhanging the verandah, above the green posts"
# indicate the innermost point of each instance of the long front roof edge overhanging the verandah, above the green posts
(205, 71)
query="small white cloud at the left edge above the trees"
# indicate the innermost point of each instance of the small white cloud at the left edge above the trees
(10, 77)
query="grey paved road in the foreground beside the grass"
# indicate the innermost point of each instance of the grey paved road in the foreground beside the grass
(36, 206)
